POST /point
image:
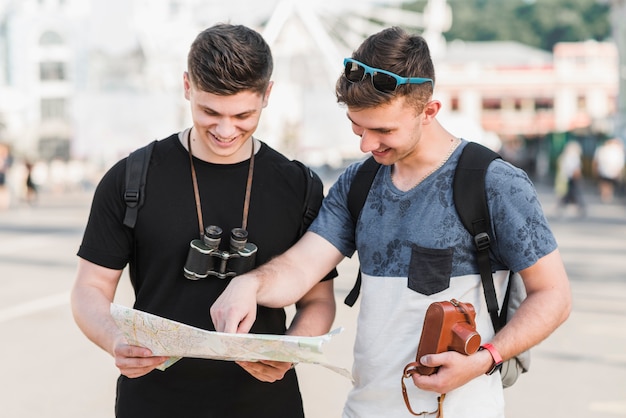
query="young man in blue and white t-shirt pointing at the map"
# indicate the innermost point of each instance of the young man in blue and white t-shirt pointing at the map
(413, 248)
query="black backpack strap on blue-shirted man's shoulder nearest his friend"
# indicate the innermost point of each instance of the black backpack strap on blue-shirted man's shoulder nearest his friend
(359, 189)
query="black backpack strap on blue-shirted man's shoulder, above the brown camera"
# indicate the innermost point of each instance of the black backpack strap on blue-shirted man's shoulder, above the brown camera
(470, 201)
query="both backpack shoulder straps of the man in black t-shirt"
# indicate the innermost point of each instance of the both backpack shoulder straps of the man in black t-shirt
(137, 171)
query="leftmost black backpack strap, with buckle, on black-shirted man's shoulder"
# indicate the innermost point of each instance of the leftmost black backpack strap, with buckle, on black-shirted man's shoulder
(136, 173)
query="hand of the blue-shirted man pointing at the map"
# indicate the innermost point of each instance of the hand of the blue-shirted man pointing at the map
(235, 310)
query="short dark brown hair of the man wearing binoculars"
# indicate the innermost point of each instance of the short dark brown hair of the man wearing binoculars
(227, 59)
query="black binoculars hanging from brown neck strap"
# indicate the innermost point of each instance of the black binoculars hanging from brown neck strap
(205, 259)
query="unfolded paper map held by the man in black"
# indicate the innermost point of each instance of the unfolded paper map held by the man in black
(165, 337)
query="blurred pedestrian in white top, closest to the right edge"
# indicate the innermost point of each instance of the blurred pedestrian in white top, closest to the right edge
(608, 166)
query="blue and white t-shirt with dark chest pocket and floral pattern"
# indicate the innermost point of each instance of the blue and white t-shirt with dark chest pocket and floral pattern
(413, 251)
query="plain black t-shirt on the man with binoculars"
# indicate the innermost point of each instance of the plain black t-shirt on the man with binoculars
(156, 251)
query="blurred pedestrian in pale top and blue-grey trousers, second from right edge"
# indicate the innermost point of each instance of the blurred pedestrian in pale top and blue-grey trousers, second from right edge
(569, 177)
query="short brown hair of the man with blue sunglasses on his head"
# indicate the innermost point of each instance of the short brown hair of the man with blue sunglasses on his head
(392, 49)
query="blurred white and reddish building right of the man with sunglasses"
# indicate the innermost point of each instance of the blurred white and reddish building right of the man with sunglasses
(533, 101)
